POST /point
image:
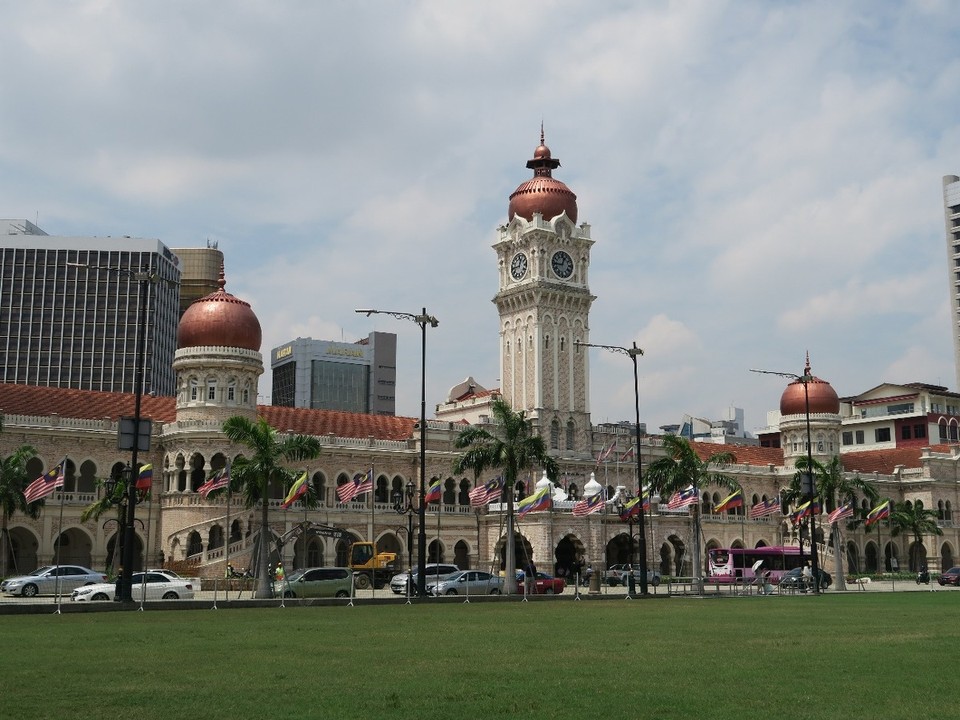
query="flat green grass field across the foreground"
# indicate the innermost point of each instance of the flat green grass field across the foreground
(882, 655)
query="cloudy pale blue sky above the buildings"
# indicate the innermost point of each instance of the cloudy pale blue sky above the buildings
(762, 179)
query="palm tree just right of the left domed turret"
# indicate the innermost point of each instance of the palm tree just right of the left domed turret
(253, 476)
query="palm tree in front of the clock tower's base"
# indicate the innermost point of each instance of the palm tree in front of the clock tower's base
(513, 448)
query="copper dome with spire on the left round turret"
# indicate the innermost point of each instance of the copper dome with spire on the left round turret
(220, 319)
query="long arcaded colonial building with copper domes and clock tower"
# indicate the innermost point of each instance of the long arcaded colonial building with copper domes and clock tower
(543, 301)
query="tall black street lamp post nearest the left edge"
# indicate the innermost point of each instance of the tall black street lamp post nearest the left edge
(143, 279)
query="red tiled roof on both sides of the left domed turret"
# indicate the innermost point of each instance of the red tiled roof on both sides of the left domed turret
(89, 405)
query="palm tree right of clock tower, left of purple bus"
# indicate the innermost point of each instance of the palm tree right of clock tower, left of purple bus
(682, 468)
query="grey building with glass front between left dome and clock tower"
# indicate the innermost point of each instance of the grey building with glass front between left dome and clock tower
(327, 375)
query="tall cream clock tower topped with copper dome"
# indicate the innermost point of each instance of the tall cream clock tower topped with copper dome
(544, 305)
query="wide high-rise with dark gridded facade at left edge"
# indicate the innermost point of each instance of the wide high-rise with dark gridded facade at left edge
(76, 327)
